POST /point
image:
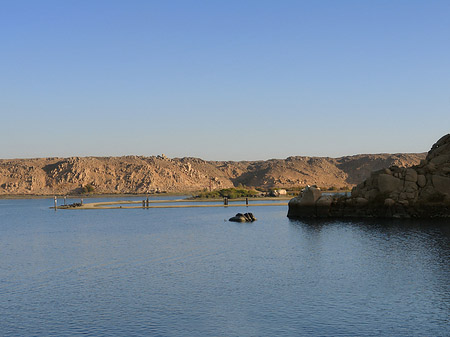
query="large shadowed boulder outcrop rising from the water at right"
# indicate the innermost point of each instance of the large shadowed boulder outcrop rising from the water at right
(421, 191)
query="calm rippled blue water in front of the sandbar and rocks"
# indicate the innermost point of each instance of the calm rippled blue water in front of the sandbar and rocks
(188, 272)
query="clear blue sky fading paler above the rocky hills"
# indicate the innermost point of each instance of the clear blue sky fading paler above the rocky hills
(223, 80)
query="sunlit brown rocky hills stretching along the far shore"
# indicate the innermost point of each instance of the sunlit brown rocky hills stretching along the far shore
(137, 174)
